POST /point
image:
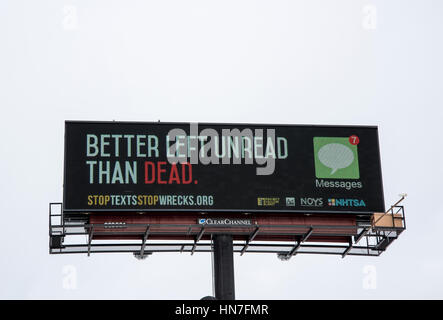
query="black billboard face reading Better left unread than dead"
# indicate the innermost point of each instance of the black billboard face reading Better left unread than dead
(208, 167)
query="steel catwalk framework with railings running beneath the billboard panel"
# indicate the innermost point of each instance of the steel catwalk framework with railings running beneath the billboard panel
(368, 240)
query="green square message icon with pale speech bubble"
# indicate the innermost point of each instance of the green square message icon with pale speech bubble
(335, 158)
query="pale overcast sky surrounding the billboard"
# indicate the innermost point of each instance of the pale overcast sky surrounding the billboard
(280, 61)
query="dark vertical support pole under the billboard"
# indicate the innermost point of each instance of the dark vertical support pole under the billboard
(223, 272)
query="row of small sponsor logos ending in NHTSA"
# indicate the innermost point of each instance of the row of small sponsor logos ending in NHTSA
(312, 202)
